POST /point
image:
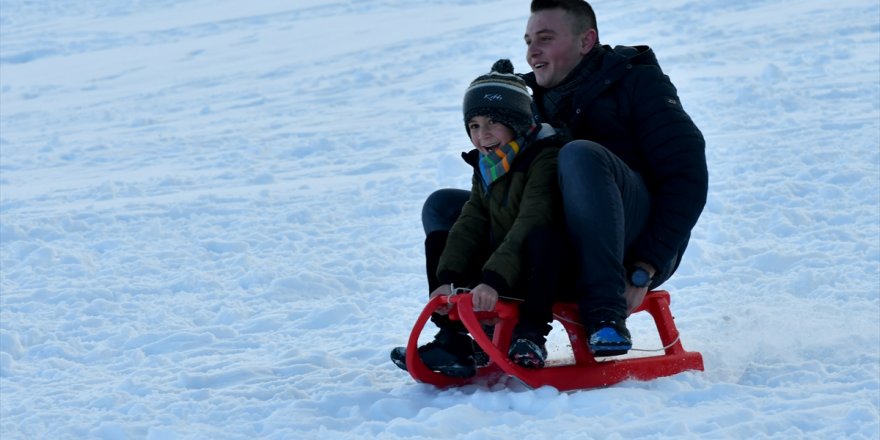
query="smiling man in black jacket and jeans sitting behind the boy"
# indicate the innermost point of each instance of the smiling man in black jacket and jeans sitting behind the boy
(633, 184)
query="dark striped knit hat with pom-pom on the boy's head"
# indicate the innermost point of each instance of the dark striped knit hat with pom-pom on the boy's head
(502, 96)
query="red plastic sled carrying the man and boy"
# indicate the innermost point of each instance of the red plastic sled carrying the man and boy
(586, 372)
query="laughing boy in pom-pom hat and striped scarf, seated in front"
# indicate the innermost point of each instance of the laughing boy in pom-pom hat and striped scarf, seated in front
(505, 242)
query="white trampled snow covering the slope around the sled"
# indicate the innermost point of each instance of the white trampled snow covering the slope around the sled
(210, 219)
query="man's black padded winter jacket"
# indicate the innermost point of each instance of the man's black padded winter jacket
(621, 99)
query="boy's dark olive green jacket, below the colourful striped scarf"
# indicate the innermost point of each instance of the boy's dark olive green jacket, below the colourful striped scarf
(495, 223)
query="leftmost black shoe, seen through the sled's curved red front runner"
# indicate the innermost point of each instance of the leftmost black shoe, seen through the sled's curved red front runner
(451, 354)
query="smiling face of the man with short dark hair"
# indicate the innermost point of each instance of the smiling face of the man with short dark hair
(553, 49)
